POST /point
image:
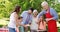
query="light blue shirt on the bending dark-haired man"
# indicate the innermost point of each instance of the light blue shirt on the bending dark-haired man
(26, 17)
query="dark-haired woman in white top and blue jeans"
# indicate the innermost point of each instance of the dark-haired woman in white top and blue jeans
(13, 19)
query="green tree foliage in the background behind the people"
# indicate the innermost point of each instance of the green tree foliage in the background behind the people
(7, 6)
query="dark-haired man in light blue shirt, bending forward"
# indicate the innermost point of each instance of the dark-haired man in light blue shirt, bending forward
(27, 18)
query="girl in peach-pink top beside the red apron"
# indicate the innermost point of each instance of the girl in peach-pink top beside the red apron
(42, 25)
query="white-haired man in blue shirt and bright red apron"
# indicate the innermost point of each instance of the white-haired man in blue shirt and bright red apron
(51, 16)
